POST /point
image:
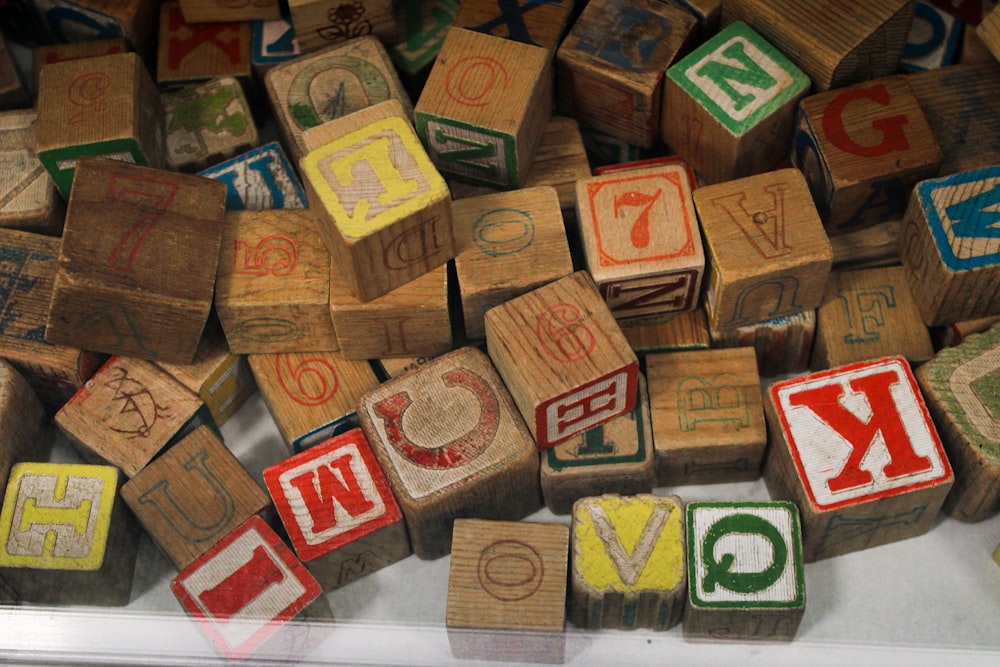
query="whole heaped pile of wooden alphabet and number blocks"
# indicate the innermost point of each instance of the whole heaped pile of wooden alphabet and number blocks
(454, 320)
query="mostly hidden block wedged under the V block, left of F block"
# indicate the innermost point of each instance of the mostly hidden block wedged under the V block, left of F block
(783, 345)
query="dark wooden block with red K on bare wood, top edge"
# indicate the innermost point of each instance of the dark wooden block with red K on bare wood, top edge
(193, 52)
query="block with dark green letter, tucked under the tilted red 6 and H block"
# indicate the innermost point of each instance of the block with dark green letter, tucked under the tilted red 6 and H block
(614, 457)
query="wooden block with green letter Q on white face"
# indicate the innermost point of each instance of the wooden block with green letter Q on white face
(745, 572)
